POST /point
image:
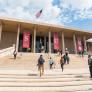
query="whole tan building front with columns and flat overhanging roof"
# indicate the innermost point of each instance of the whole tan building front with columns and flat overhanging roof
(40, 35)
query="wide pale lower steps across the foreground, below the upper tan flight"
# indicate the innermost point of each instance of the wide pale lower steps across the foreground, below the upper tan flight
(53, 81)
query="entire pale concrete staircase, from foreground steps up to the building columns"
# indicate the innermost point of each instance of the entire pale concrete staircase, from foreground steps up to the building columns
(21, 75)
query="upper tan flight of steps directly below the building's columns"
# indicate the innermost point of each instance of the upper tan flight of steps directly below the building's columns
(29, 61)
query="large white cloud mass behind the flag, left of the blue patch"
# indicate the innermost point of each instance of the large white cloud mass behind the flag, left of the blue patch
(27, 9)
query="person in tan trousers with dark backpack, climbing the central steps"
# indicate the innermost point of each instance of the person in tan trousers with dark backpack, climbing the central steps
(41, 65)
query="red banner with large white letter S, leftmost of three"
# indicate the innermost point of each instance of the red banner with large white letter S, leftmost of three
(26, 40)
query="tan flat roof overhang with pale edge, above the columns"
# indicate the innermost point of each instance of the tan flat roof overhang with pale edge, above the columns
(42, 26)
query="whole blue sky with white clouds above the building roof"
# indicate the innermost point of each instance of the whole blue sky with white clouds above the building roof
(69, 13)
